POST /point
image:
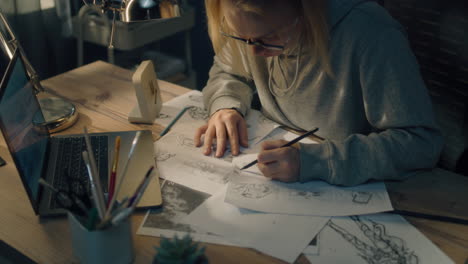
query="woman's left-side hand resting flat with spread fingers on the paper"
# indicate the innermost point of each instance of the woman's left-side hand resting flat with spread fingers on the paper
(225, 124)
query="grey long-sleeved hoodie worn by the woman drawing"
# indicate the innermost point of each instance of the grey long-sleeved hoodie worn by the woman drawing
(375, 112)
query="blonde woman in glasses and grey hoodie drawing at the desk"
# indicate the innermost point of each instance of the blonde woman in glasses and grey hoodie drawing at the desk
(344, 66)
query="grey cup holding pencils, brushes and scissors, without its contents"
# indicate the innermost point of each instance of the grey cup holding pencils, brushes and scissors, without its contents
(111, 245)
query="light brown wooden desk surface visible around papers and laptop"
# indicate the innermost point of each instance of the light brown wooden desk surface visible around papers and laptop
(104, 96)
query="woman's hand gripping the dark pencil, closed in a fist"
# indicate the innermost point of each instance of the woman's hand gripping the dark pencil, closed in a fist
(282, 164)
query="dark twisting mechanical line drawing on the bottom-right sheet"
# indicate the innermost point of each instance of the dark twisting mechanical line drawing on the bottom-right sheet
(383, 249)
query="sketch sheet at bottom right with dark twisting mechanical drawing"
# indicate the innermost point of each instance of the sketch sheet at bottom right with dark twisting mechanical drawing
(379, 238)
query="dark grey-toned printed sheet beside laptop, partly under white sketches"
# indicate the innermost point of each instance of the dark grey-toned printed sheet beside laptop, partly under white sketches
(179, 201)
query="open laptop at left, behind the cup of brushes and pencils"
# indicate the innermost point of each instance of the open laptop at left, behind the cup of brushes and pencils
(57, 159)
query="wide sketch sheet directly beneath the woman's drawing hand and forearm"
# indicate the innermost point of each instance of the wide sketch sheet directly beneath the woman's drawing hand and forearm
(312, 198)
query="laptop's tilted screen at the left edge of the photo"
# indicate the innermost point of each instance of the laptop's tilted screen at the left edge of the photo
(19, 110)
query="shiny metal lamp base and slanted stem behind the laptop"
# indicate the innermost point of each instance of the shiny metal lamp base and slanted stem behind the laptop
(58, 113)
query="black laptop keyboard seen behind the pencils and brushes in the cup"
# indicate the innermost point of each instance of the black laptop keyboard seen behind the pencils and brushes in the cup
(70, 161)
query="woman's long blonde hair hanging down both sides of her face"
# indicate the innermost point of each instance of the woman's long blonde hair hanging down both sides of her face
(312, 13)
